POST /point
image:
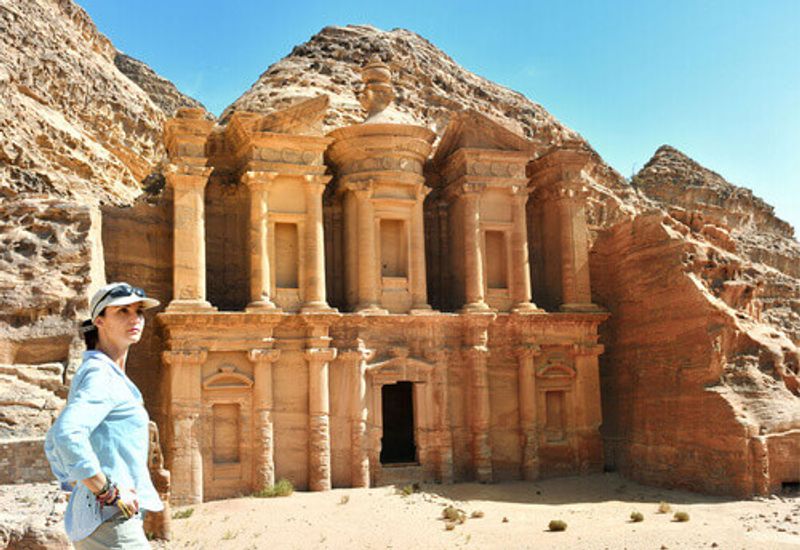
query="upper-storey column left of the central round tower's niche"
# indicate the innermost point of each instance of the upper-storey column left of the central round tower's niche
(368, 291)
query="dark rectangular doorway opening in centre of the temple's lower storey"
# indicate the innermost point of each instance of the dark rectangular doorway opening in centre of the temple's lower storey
(397, 444)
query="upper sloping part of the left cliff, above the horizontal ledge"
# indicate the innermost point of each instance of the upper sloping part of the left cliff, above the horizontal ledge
(71, 124)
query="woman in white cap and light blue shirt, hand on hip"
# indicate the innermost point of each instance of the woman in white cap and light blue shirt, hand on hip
(99, 443)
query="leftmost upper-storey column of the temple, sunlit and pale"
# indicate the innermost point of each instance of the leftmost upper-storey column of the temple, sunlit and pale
(189, 239)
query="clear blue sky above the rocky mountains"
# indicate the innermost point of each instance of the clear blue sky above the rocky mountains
(719, 80)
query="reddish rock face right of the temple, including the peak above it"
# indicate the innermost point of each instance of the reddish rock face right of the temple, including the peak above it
(700, 378)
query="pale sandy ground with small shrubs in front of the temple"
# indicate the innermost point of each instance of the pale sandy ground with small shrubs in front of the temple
(515, 515)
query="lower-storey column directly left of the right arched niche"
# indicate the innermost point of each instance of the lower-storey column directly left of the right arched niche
(529, 435)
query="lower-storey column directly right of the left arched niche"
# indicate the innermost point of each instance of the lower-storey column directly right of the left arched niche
(264, 463)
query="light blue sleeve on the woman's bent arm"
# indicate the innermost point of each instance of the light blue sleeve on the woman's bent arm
(68, 446)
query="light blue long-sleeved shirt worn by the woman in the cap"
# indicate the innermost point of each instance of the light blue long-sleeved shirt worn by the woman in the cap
(103, 428)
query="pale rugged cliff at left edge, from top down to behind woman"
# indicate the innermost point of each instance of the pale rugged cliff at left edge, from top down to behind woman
(75, 130)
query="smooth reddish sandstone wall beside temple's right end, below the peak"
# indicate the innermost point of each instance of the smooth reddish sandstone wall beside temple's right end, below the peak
(697, 393)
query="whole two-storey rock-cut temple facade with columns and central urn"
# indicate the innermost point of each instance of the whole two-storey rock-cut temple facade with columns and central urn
(356, 308)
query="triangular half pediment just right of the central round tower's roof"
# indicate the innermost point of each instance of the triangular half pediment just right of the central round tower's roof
(470, 129)
